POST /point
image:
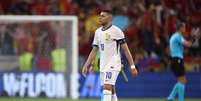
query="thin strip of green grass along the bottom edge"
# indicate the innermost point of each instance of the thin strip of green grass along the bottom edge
(44, 99)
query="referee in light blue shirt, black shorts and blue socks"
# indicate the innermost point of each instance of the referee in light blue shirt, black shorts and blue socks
(177, 43)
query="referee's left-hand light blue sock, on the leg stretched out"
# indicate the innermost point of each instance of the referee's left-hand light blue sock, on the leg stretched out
(174, 92)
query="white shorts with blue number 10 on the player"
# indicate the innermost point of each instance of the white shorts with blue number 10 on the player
(108, 77)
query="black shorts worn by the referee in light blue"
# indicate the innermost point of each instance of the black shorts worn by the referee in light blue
(177, 66)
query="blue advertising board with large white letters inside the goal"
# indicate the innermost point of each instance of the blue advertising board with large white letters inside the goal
(51, 85)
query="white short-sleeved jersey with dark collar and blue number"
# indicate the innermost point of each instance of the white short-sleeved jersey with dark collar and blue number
(108, 41)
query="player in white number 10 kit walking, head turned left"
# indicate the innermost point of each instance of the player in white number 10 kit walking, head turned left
(107, 40)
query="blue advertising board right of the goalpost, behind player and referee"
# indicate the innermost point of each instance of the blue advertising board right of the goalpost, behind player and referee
(147, 84)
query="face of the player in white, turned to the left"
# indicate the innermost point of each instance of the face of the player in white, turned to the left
(104, 18)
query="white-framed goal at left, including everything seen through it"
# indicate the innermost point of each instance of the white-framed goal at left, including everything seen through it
(38, 56)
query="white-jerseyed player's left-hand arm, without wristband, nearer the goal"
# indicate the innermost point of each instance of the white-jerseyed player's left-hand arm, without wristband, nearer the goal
(90, 58)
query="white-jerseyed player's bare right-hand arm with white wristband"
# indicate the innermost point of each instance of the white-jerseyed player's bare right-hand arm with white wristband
(129, 57)
